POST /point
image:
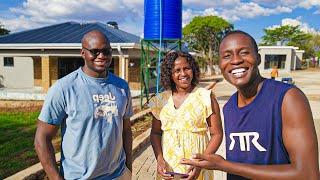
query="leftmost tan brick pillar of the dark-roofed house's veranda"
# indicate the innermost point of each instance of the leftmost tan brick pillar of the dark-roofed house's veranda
(45, 66)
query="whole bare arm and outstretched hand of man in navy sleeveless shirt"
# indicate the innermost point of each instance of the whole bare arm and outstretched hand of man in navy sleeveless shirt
(299, 138)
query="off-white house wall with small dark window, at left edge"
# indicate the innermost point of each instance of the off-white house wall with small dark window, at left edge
(18, 76)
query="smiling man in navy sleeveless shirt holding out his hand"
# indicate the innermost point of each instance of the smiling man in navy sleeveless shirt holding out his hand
(269, 127)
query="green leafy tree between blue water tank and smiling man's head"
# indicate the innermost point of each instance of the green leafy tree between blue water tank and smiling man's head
(203, 35)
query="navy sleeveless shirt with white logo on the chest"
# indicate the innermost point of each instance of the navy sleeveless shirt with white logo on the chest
(254, 132)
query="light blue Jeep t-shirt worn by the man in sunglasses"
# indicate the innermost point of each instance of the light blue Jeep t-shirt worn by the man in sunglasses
(90, 112)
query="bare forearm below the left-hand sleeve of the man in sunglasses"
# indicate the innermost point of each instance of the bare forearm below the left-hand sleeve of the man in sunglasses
(44, 148)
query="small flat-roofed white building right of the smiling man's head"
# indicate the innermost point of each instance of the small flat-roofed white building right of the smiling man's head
(285, 58)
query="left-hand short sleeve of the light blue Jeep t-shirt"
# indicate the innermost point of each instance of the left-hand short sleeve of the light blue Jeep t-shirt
(53, 109)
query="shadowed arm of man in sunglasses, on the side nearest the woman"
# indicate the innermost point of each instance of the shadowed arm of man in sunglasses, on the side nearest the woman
(127, 142)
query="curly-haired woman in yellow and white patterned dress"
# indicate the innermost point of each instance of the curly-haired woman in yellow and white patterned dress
(184, 116)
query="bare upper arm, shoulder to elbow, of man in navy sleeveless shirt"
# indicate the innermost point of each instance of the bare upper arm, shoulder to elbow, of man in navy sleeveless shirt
(299, 135)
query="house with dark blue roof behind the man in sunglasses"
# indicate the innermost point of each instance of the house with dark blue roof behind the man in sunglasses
(38, 57)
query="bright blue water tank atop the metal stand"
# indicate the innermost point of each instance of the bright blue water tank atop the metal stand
(171, 19)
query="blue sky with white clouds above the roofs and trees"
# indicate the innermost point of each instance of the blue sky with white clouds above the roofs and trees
(250, 16)
